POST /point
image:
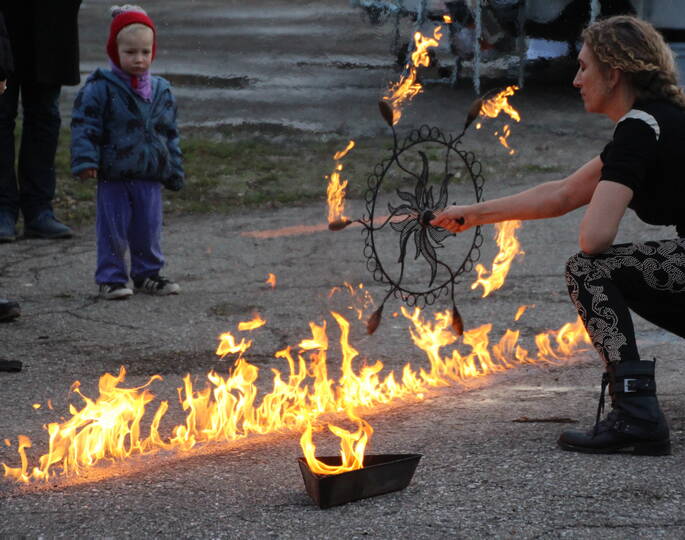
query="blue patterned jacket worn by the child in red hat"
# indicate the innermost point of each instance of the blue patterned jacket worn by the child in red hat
(125, 138)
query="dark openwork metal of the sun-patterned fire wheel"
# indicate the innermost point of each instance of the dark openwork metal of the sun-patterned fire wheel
(411, 218)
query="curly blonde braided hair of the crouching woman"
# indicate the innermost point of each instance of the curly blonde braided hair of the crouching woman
(636, 48)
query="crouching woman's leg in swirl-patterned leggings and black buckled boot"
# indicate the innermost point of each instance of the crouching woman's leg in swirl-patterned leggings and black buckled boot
(650, 279)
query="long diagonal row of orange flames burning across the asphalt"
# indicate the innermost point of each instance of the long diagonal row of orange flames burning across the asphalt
(228, 407)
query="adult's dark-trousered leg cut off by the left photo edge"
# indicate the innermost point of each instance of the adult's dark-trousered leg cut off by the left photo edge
(9, 192)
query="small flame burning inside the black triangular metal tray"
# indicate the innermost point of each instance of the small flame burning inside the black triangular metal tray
(352, 446)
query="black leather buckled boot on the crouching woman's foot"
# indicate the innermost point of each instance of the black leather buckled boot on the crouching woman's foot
(635, 424)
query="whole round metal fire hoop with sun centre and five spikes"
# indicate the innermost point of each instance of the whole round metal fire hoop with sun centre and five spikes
(405, 192)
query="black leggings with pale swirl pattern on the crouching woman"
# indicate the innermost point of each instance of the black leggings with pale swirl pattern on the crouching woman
(648, 278)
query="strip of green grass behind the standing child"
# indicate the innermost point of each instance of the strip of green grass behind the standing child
(228, 169)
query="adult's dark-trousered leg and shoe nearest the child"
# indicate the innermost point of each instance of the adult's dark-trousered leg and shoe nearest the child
(36, 167)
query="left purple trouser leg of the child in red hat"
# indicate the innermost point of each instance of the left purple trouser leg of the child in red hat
(112, 222)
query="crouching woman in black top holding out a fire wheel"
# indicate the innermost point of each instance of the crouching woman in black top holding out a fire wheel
(626, 72)
